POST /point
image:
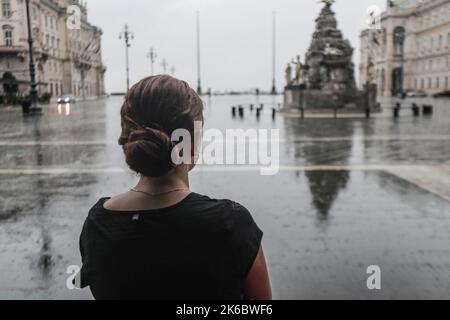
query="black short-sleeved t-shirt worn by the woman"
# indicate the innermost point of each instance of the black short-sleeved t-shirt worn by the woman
(199, 248)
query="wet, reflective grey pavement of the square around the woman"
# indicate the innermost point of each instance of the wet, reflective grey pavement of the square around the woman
(350, 193)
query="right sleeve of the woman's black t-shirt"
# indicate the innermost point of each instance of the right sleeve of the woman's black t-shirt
(247, 237)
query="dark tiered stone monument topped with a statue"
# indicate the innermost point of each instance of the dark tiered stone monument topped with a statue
(326, 81)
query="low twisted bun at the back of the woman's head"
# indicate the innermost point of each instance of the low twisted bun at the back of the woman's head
(148, 152)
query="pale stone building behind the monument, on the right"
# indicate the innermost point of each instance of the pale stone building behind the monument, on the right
(408, 49)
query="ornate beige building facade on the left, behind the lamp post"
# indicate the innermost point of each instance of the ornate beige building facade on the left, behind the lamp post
(67, 47)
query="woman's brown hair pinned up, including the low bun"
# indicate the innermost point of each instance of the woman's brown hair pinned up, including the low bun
(154, 108)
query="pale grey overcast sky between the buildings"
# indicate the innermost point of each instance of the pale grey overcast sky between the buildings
(236, 37)
